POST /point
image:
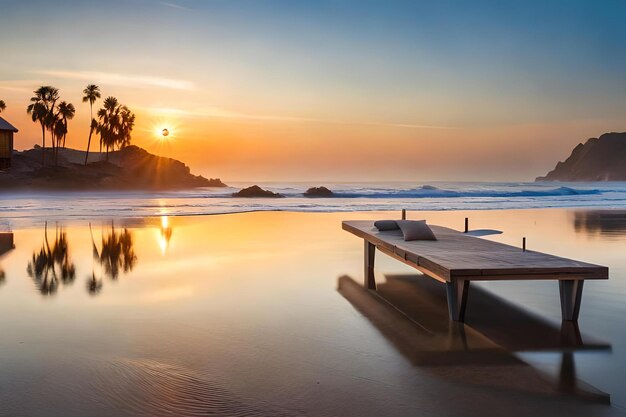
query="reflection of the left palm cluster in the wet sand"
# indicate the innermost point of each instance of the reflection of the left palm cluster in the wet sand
(43, 266)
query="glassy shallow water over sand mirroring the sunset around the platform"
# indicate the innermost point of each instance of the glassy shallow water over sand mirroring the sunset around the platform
(240, 315)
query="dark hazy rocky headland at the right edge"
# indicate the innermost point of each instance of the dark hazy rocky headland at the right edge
(599, 159)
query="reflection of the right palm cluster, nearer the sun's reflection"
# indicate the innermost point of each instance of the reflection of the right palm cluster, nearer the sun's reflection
(117, 252)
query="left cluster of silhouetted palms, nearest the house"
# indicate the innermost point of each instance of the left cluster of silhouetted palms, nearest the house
(52, 114)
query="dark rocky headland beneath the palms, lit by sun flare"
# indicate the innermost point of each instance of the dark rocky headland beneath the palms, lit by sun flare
(131, 168)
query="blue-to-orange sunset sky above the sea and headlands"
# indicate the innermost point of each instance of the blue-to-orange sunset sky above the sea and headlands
(330, 90)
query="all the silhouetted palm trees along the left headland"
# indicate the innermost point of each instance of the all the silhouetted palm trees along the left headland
(114, 122)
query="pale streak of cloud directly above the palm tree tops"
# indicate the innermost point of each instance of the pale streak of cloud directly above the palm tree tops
(125, 80)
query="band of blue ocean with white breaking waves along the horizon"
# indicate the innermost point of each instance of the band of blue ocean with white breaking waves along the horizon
(20, 209)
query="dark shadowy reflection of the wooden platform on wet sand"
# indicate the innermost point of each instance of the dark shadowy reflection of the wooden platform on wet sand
(411, 312)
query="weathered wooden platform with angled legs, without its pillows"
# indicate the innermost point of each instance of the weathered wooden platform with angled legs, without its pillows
(456, 259)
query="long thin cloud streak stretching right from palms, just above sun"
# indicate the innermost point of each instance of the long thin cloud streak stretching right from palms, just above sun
(217, 112)
